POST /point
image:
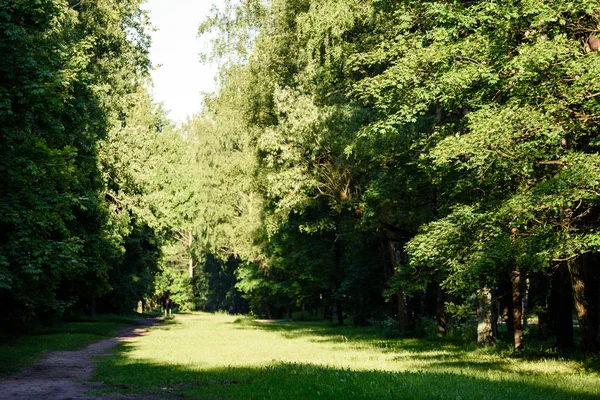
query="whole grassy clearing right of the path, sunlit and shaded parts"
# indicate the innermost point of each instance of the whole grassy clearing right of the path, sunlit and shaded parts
(218, 356)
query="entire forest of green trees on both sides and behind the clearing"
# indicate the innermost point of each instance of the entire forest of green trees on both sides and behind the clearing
(367, 162)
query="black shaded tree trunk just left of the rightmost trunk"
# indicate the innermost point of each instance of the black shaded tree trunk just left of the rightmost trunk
(561, 308)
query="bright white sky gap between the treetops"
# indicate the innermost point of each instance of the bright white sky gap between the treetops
(181, 77)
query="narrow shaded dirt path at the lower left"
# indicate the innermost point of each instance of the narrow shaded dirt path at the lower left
(65, 375)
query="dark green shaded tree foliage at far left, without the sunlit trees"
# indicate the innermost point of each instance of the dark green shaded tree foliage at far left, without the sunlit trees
(65, 70)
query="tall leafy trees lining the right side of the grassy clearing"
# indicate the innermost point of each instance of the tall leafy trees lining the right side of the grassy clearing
(431, 153)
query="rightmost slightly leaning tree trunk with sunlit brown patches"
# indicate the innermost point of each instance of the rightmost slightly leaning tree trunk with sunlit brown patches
(587, 325)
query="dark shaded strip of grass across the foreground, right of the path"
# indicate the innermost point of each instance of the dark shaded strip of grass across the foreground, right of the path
(306, 381)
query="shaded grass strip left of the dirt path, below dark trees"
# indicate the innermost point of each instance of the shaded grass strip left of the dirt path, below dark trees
(18, 351)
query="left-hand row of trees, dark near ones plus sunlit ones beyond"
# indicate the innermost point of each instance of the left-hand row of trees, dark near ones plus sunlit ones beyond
(91, 211)
